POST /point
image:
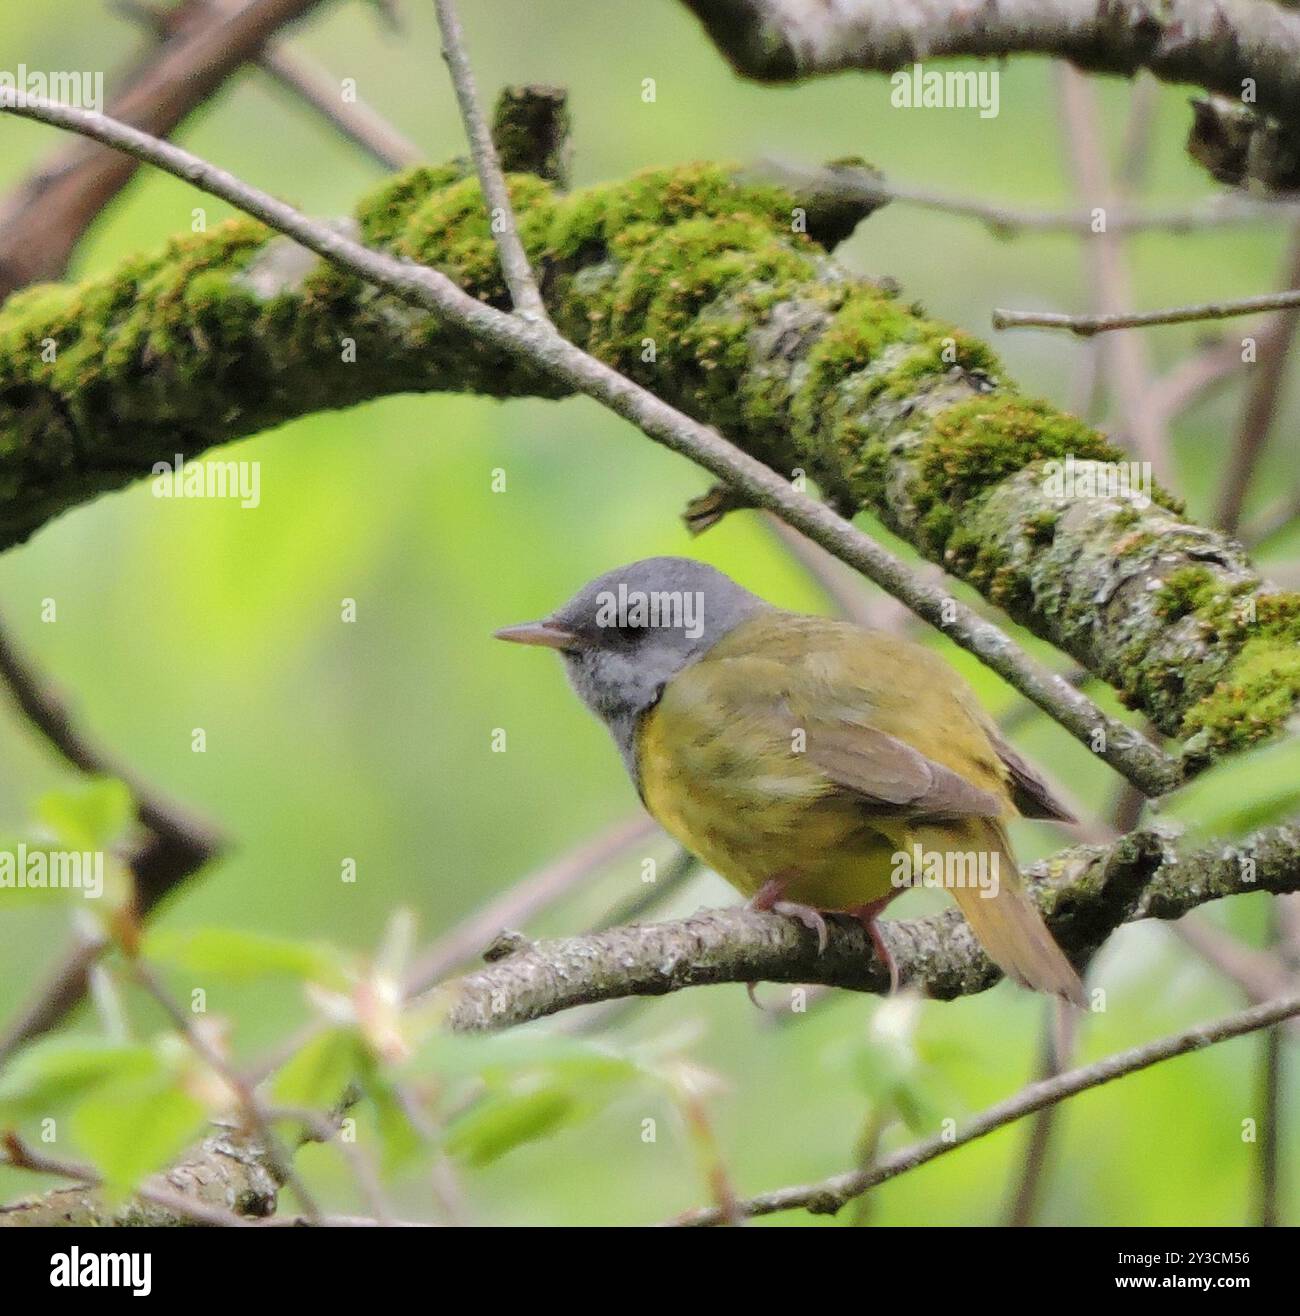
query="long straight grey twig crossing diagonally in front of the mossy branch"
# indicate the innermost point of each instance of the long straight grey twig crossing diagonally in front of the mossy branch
(537, 343)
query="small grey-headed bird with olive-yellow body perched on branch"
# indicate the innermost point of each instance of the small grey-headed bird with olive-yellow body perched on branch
(815, 765)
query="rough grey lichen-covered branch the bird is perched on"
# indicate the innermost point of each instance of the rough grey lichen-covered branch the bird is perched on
(1085, 893)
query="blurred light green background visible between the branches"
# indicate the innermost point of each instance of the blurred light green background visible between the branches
(373, 740)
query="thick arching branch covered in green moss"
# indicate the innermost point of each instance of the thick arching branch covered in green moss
(716, 295)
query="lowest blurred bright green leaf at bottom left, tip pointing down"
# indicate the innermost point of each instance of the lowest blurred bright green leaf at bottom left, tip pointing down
(132, 1128)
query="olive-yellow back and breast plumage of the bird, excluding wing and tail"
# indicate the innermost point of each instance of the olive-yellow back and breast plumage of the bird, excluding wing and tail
(720, 764)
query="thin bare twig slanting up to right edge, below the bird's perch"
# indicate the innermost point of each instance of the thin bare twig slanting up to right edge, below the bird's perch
(830, 1196)
